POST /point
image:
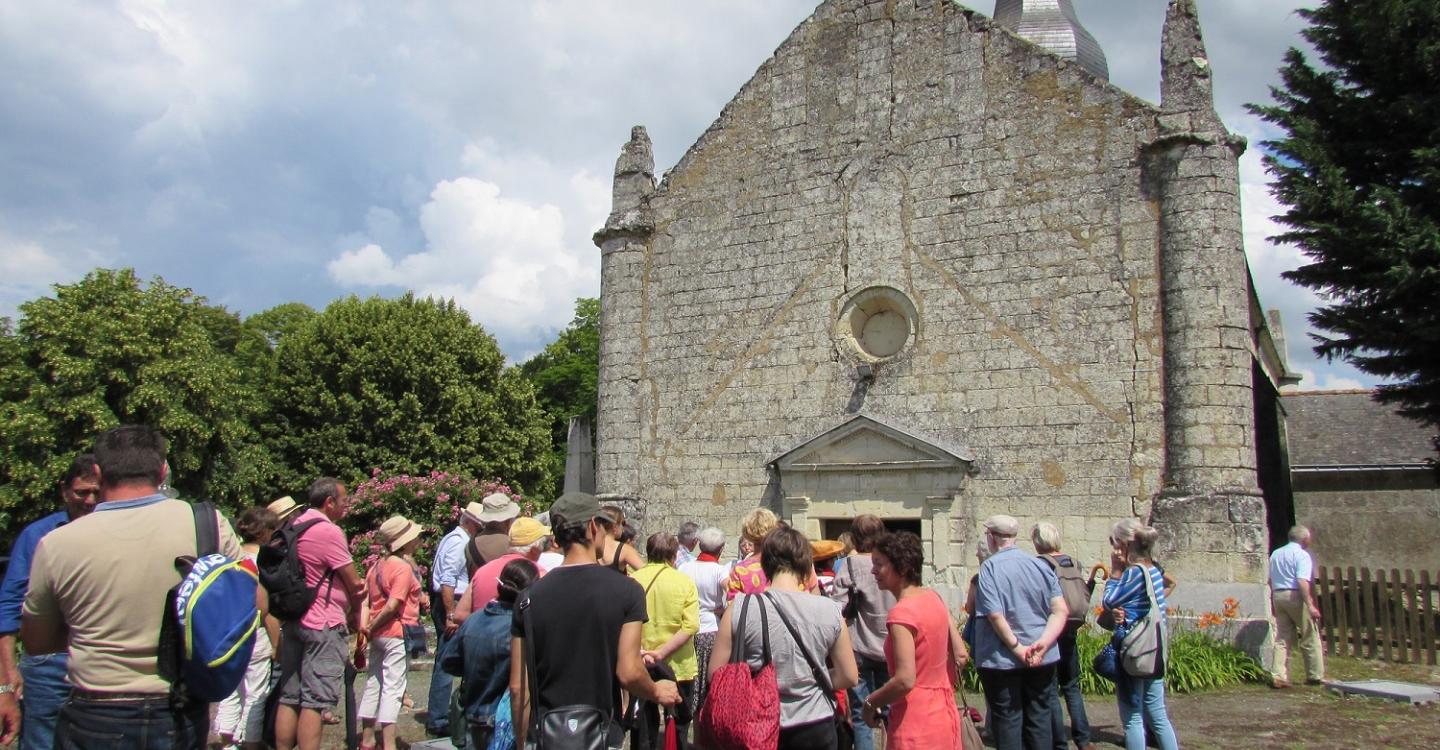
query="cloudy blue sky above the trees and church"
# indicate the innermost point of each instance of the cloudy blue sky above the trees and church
(276, 150)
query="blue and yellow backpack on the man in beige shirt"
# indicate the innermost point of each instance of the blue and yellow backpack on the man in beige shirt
(208, 633)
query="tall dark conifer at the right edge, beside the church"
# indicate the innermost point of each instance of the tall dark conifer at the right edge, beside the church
(1360, 169)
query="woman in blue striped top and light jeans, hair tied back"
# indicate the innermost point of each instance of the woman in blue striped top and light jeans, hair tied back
(1143, 702)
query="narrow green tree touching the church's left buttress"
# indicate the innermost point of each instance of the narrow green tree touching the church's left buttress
(567, 375)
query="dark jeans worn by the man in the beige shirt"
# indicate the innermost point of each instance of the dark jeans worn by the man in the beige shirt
(149, 725)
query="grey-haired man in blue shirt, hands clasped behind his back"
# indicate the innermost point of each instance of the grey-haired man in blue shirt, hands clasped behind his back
(1022, 615)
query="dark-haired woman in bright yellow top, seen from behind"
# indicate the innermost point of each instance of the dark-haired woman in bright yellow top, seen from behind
(673, 605)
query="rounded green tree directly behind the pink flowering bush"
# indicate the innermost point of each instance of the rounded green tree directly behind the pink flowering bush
(407, 387)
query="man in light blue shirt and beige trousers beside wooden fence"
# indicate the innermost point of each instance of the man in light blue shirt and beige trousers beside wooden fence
(1297, 613)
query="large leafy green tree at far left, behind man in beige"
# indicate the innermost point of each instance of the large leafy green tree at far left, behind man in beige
(112, 351)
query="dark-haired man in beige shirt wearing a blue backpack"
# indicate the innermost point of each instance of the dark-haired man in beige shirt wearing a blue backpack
(99, 588)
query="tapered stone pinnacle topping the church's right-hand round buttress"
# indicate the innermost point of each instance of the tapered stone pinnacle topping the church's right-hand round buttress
(1187, 93)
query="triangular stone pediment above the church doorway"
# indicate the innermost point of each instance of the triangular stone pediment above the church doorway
(868, 444)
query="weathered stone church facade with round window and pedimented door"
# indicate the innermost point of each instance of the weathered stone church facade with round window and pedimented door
(925, 268)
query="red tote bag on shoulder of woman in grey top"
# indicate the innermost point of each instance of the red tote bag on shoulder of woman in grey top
(742, 710)
